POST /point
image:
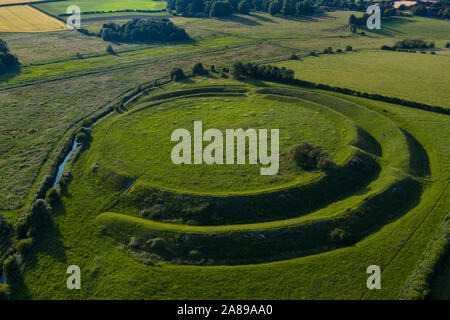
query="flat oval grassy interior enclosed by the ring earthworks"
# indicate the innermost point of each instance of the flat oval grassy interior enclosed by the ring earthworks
(148, 132)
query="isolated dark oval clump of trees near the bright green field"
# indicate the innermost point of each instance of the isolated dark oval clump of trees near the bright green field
(143, 30)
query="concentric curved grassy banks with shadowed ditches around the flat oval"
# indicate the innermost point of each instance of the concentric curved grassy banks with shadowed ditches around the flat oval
(369, 190)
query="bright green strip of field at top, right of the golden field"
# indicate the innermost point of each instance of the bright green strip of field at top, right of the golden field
(60, 7)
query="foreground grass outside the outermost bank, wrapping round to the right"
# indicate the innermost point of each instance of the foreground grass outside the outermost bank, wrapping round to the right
(396, 248)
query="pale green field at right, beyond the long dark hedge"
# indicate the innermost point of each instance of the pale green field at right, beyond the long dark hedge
(382, 72)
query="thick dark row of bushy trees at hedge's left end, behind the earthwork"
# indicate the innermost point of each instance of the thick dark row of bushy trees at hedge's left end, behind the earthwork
(264, 72)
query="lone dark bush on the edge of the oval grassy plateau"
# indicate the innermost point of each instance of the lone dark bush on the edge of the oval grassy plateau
(311, 157)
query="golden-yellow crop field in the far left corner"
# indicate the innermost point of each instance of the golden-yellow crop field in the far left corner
(27, 19)
